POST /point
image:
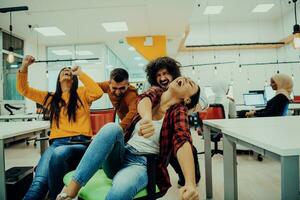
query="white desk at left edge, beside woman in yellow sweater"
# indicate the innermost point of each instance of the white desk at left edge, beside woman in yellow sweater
(12, 131)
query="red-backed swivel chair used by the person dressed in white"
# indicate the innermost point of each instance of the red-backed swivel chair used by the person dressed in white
(214, 111)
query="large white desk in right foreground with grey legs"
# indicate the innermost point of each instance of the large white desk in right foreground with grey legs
(277, 137)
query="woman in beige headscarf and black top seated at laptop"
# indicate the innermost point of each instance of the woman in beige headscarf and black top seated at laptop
(283, 85)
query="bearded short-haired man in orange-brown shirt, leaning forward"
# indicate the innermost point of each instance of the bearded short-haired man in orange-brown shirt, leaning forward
(122, 95)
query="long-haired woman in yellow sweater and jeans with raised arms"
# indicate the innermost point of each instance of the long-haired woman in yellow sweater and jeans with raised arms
(69, 108)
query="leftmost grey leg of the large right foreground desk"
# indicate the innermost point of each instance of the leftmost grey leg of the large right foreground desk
(208, 168)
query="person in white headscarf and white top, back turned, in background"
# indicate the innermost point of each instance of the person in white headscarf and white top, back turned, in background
(221, 88)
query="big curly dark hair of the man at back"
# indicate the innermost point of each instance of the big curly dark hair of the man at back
(171, 65)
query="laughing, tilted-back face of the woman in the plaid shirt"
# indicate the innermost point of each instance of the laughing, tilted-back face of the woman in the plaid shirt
(183, 88)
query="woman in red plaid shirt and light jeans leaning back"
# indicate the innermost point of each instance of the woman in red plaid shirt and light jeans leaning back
(119, 161)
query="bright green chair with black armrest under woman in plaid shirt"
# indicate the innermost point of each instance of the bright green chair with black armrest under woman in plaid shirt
(99, 185)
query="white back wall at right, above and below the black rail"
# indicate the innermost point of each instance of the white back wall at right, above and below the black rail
(248, 77)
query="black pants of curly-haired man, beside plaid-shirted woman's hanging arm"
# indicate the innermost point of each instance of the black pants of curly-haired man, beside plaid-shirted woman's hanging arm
(175, 164)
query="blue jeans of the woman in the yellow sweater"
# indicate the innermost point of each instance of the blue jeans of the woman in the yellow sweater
(60, 157)
